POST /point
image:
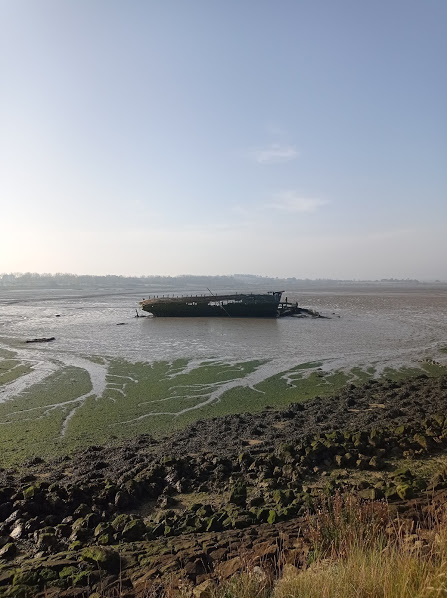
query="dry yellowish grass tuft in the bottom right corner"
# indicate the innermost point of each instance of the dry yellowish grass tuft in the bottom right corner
(359, 552)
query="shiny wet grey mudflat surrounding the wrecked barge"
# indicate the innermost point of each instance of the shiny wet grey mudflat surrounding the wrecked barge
(362, 328)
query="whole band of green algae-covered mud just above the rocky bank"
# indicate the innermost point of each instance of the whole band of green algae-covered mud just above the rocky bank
(61, 413)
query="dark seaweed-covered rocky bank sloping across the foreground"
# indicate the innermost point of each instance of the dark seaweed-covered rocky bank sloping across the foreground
(223, 493)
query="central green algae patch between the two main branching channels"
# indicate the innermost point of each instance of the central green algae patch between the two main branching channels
(149, 398)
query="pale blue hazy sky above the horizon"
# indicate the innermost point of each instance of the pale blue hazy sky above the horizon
(302, 138)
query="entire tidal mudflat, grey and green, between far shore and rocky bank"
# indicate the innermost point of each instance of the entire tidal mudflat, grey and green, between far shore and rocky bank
(361, 328)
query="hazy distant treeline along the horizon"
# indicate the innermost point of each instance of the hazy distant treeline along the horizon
(30, 280)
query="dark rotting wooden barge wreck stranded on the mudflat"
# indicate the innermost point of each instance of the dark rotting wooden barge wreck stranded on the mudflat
(237, 305)
